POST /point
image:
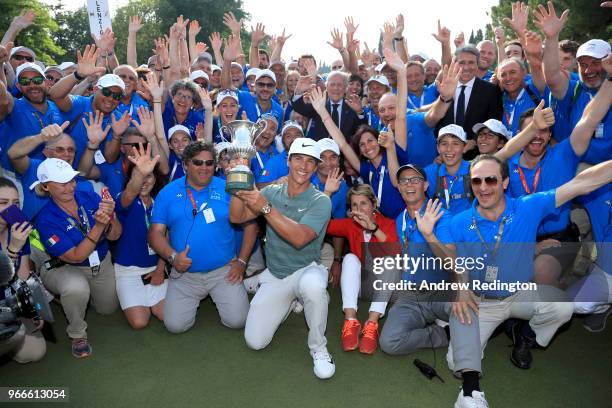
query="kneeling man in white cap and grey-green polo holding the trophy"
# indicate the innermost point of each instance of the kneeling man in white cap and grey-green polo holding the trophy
(297, 215)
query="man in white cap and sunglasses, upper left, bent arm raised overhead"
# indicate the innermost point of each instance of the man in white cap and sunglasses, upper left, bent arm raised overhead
(109, 91)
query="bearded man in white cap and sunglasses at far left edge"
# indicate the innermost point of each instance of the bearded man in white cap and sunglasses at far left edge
(27, 115)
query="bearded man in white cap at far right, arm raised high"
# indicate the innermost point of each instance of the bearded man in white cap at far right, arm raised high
(573, 96)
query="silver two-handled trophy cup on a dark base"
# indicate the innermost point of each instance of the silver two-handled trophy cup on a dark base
(243, 134)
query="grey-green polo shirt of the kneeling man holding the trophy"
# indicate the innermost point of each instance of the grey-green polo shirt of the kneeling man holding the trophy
(311, 208)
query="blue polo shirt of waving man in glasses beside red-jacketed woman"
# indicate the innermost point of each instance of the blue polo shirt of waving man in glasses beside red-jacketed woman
(416, 245)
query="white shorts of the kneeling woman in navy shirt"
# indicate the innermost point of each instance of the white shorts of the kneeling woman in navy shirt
(132, 292)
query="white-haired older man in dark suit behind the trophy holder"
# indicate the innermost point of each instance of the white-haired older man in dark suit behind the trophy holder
(343, 115)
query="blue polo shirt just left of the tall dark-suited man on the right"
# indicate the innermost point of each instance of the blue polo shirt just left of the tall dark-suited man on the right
(421, 141)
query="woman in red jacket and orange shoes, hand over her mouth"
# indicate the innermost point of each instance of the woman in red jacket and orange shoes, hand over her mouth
(365, 225)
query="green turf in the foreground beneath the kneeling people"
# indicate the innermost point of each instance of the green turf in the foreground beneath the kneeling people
(210, 366)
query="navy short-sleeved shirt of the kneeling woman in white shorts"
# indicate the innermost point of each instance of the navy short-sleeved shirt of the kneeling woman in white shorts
(132, 249)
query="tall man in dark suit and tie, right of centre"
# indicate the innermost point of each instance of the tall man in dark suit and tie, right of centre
(475, 100)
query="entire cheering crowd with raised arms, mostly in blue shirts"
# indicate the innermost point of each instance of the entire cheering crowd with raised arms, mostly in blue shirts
(121, 171)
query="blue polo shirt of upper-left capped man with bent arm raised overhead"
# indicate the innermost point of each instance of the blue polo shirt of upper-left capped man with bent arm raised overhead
(81, 107)
